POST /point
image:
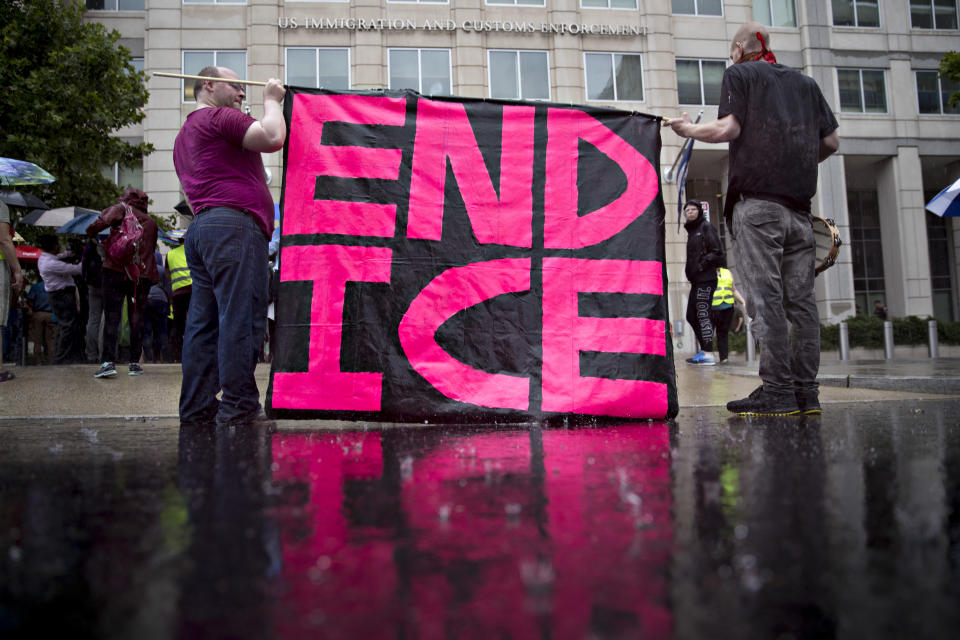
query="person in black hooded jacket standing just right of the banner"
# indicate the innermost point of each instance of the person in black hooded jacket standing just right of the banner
(704, 255)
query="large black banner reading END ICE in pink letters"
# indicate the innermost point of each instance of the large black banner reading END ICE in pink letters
(467, 260)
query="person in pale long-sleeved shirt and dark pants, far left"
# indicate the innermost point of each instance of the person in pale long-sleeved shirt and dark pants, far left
(57, 277)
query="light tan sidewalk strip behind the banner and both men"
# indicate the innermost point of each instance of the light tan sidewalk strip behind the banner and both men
(71, 391)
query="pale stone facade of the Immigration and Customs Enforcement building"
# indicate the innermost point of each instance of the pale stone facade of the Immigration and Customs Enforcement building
(911, 149)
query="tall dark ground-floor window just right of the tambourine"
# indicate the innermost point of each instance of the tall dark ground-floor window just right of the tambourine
(866, 248)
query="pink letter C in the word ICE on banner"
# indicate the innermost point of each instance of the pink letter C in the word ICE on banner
(452, 291)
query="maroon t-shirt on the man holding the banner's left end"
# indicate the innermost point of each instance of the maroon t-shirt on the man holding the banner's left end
(214, 168)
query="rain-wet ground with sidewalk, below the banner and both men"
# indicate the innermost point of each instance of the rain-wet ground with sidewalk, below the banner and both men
(840, 526)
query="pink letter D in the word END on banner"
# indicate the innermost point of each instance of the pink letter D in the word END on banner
(563, 228)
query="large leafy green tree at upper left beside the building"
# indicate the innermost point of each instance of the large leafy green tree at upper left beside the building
(68, 86)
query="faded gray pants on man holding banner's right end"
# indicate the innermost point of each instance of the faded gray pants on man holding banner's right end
(775, 264)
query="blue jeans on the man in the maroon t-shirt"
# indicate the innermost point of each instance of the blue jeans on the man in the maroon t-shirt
(227, 256)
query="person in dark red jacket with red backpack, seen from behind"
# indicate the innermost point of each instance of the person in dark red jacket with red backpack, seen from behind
(125, 283)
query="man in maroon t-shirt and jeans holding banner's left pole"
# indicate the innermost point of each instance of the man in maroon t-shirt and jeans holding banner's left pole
(217, 158)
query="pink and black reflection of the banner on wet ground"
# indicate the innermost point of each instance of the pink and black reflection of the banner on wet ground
(518, 534)
